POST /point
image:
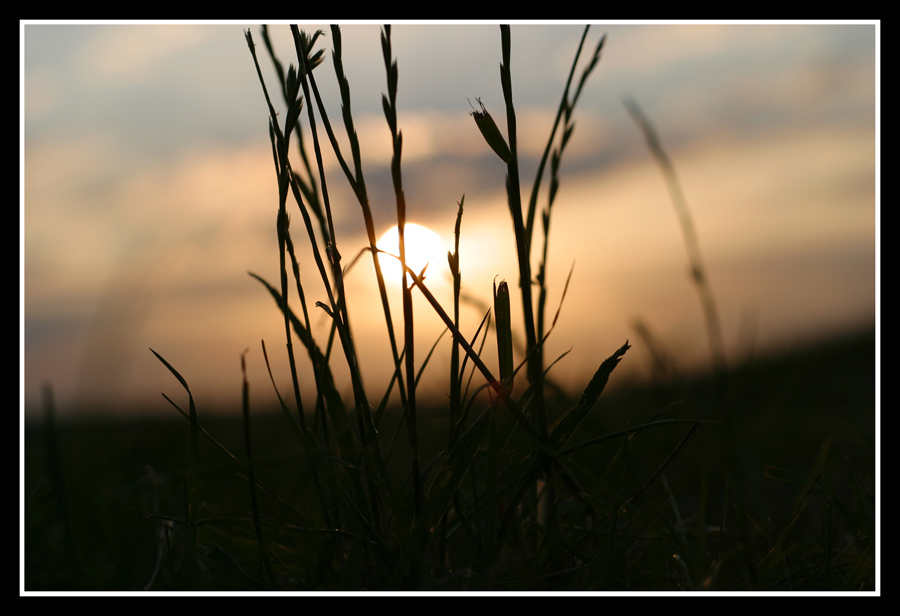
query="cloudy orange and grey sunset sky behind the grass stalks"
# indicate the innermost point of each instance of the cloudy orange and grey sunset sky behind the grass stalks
(148, 193)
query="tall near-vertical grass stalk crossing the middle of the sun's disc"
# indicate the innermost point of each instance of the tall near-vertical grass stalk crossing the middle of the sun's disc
(390, 111)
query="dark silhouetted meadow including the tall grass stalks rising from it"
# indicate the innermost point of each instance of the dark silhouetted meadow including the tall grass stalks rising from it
(757, 477)
